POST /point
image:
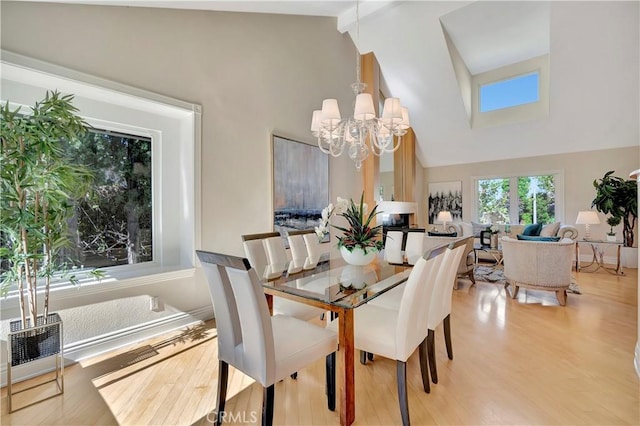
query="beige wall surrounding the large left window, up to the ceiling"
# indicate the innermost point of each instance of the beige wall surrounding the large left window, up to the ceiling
(252, 74)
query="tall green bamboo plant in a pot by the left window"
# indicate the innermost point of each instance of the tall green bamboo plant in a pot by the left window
(39, 189)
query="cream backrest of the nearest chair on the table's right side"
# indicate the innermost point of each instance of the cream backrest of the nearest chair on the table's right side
(411, 328)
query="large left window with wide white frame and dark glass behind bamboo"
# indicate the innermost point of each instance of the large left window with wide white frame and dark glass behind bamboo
(139, 225)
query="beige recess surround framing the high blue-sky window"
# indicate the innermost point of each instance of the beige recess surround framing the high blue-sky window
(518, 113)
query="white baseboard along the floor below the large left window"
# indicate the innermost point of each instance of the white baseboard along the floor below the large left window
(80, 350)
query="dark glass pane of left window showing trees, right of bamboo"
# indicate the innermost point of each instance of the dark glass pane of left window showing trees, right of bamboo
(113, 225)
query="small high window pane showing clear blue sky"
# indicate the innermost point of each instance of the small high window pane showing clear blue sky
(520, 90)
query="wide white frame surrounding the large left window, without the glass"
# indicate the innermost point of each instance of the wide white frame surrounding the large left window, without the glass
(175, 129)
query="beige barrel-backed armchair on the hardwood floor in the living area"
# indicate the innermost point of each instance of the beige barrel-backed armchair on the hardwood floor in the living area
(538, 265)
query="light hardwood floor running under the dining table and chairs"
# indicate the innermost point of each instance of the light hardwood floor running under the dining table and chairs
(525, 361)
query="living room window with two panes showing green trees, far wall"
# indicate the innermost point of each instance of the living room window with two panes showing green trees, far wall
(535, 199)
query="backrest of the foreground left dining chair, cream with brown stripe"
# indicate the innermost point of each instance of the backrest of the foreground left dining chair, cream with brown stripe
(245, 334)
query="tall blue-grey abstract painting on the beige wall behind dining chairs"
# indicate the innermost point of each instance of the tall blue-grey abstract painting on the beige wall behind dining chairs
(300, 184)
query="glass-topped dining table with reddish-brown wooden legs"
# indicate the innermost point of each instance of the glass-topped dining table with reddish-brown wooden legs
(340, 288)
